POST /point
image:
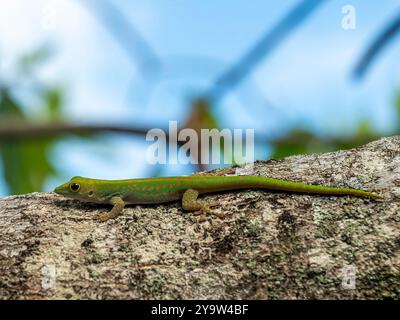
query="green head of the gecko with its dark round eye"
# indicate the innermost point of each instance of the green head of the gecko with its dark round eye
(78, 188)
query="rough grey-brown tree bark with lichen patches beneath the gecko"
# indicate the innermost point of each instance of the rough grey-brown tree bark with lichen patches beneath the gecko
(268, 246)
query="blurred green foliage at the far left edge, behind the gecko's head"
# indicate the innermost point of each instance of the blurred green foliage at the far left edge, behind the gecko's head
(26, 162)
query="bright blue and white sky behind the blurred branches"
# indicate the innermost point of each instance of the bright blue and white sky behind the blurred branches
(307, 79)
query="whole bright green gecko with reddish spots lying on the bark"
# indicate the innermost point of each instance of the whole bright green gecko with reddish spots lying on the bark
(168, 189)
